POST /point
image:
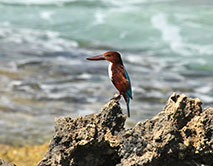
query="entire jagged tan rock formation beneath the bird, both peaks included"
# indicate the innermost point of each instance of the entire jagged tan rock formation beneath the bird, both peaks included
(180, 135)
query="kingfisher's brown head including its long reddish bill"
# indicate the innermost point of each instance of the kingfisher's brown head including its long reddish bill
(111, 56)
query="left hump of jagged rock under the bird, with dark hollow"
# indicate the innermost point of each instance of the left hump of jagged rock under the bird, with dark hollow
(91, 140)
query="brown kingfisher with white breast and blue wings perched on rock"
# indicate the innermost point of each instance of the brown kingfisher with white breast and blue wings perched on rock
(117, 74)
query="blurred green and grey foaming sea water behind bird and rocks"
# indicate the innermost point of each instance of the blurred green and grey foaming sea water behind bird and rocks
(167, 45)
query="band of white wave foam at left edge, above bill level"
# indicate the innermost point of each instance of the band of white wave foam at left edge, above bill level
(36, 40)
